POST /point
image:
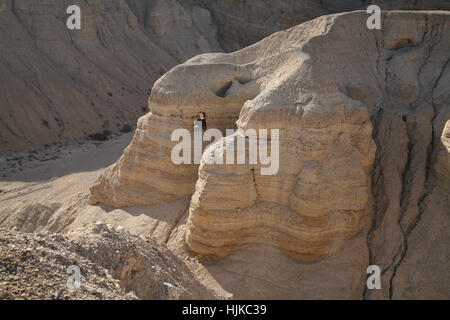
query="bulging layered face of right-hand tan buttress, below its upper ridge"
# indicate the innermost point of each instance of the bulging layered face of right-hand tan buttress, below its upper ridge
(319, 195)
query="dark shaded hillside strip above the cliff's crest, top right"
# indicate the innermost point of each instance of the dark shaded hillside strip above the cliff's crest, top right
(242, 23)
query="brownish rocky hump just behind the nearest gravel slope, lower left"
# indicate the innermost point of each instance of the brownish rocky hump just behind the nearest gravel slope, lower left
(141, 265)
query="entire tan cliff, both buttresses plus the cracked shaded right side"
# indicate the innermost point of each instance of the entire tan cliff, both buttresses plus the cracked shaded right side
(363, 147)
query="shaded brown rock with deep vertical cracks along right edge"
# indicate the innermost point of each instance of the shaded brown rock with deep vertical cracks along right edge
(409, 202)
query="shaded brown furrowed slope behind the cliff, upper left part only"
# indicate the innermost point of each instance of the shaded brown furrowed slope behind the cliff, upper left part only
(58, 83)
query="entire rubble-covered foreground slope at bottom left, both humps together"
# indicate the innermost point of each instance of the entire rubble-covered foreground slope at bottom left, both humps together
(113, 265)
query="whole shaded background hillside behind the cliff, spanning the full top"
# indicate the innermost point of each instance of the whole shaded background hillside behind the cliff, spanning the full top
(58, 84)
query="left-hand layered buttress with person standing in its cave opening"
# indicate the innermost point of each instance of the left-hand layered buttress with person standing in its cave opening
(146, 174)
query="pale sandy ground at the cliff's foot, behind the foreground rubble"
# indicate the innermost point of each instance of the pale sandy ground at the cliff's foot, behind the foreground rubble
(51, 195)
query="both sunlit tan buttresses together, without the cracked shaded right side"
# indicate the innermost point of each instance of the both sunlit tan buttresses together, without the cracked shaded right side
(325, 144)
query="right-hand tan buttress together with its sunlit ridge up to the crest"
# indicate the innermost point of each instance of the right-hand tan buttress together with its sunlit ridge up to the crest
(319, 196)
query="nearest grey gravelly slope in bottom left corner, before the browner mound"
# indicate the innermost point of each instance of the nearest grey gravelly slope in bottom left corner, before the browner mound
(34, 266)
